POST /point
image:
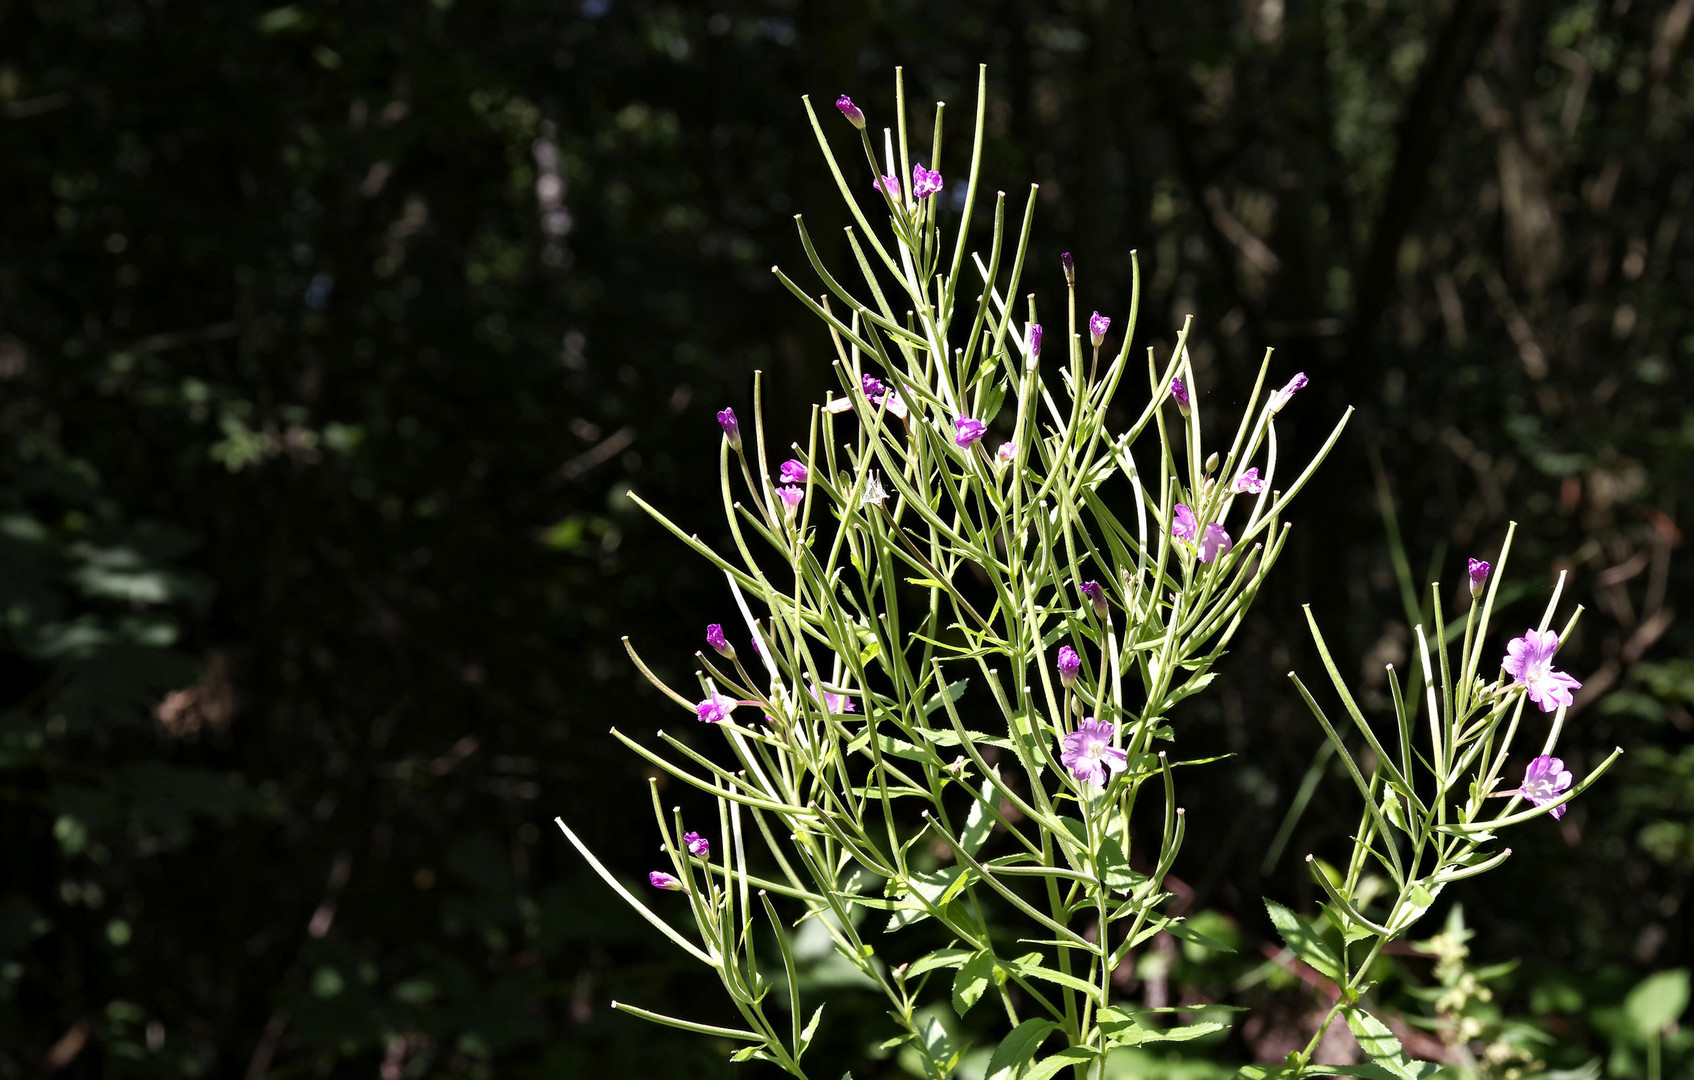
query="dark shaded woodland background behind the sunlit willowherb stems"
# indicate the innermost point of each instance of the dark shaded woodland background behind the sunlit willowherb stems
(333, 336)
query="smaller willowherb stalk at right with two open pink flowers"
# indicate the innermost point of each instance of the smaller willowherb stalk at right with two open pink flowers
(1427, 817)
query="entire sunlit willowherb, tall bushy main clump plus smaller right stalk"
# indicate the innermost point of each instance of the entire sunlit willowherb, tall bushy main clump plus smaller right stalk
(968, 629)
